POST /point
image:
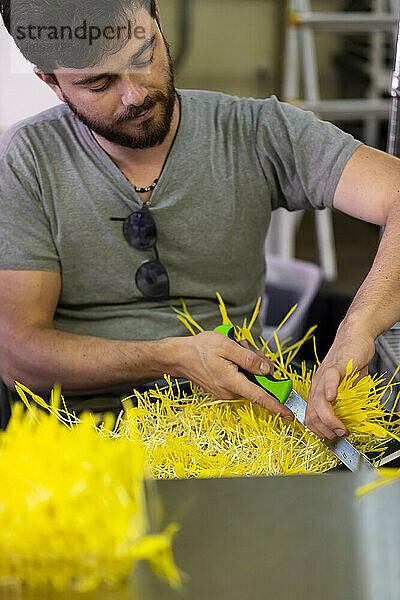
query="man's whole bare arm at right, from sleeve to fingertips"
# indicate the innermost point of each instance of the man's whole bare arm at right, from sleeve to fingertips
(369, 190)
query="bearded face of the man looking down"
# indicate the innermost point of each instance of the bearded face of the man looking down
(110, 104)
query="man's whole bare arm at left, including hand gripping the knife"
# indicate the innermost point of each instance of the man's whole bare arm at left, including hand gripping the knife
(37, 355)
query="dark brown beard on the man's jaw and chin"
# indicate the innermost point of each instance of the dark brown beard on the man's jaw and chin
(151, 132)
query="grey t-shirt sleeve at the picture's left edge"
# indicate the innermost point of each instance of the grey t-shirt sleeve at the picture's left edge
(26, 242)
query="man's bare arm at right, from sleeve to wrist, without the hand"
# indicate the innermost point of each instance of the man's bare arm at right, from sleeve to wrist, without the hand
(370, 190)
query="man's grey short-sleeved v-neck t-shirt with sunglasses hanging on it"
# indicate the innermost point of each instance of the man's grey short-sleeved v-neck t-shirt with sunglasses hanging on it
(233, 161)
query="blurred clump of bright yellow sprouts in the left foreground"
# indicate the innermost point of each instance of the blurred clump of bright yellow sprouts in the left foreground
(72, 505)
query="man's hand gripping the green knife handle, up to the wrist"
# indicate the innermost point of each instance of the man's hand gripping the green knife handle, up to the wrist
(212, 361)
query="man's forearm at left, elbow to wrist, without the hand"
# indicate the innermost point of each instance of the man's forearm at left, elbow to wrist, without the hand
(41, 357)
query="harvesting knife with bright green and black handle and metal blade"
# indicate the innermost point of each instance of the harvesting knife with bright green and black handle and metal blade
(283, 391)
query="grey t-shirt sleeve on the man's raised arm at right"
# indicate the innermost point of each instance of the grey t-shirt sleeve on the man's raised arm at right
(304, 156)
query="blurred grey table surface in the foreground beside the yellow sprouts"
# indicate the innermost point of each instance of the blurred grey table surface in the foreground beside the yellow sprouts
(278, 538)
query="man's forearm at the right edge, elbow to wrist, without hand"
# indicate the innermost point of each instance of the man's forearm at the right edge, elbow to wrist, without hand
(376, 307)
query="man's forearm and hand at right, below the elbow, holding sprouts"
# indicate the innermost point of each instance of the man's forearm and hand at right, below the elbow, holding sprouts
(374, 309)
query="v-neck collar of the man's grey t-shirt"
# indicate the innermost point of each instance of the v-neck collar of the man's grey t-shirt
(113, 168)
